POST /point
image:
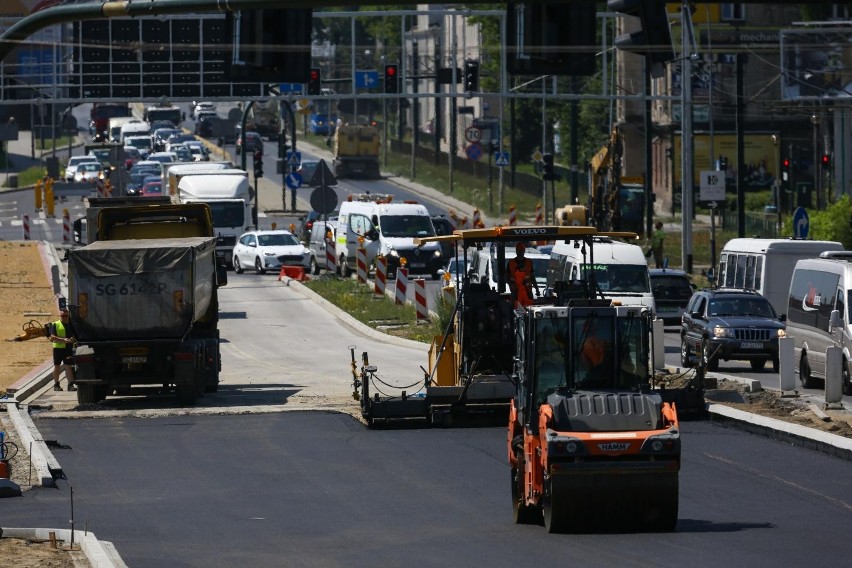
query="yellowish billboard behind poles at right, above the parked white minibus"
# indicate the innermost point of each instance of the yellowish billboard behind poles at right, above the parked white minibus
(761, 158)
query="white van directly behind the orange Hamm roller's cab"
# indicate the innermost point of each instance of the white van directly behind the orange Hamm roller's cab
(619, 269)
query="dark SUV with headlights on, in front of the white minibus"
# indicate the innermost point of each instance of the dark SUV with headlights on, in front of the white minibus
(730, 325)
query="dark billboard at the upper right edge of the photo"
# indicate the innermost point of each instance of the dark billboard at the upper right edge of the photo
(816, 64)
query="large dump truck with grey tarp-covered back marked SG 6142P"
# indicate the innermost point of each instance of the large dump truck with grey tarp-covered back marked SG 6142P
(143, 301)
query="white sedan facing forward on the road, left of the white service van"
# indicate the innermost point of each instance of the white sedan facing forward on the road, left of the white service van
(269, 250)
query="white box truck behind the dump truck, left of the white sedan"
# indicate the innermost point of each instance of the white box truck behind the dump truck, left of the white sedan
(227, 194)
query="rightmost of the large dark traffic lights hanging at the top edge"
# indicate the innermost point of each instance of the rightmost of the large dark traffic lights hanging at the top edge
(654, 39)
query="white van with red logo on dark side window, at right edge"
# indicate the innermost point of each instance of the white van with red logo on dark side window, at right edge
(819, 286)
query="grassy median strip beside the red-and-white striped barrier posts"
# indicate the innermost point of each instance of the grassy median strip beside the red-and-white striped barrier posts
(382, 313)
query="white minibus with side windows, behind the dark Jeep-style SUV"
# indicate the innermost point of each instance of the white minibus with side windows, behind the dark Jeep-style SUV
(766, 265)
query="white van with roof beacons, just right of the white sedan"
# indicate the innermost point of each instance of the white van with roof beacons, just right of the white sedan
(389, 229)
